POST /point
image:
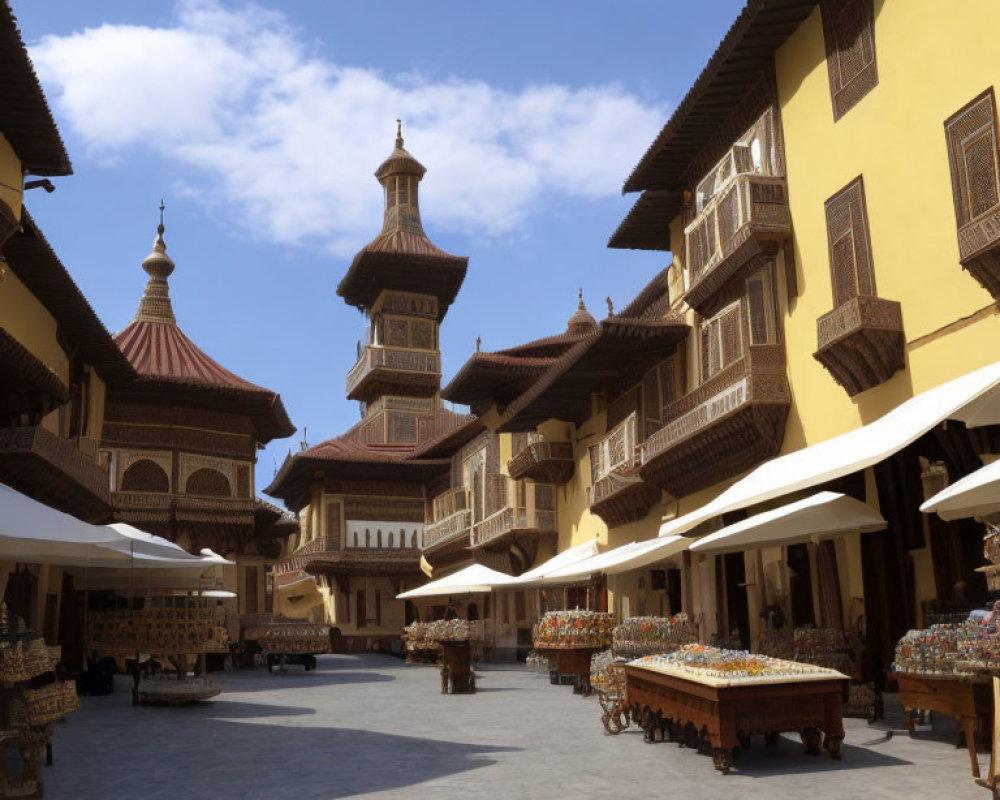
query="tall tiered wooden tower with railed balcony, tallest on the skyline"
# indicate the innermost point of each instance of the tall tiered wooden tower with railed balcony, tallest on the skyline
(405, 285)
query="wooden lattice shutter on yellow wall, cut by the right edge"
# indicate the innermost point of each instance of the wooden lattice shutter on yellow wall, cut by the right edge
(972, 154)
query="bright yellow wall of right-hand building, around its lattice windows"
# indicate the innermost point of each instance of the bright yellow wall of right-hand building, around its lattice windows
(930, 64)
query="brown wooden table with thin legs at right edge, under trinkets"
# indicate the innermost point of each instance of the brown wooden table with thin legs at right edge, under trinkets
(968, 701)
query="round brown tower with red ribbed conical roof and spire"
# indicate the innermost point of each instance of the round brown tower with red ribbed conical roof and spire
(181, 440)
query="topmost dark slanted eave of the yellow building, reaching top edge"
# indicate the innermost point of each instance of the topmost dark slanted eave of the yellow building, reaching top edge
(747, 50)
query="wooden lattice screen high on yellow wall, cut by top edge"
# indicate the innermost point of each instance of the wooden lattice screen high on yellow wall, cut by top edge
(849, 32)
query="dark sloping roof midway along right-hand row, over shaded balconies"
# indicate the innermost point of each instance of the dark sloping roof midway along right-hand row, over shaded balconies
(563, 392)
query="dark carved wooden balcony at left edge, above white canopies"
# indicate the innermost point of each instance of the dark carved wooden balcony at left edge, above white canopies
(54, 471)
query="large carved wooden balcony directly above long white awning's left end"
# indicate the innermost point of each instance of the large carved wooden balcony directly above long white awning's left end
(730, 423)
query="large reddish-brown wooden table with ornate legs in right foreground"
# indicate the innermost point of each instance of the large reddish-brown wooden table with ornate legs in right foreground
(727, 713)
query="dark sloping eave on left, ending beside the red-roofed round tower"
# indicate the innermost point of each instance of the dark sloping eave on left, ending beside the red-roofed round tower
(32, 259)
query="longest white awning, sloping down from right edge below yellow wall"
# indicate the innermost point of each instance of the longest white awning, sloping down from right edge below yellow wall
(973, 398)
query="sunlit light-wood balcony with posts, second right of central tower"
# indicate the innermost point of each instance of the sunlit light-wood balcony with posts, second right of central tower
(510, 513)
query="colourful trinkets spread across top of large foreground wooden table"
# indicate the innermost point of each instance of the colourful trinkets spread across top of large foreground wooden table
(717, 666)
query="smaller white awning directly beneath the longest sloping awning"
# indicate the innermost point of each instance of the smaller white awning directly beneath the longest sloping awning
(820, 516)
